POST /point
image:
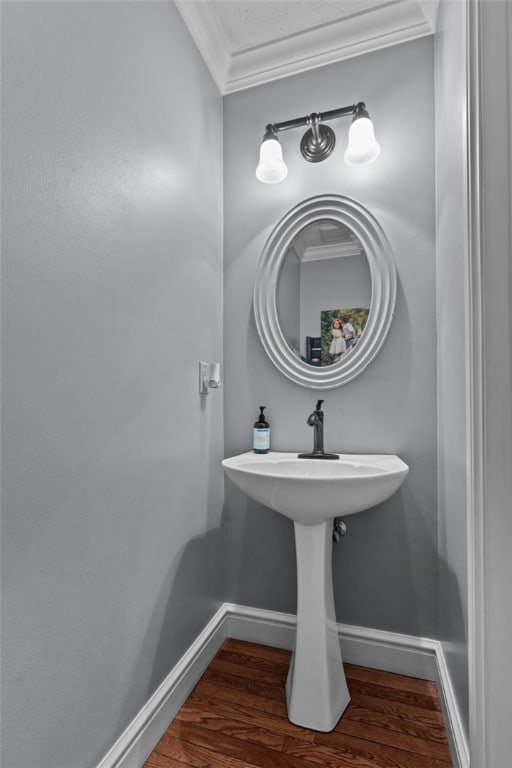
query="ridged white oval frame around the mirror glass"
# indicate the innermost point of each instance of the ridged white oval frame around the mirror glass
(383, 290)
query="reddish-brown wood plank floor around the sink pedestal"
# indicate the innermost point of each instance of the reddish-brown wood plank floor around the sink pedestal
(236, 718)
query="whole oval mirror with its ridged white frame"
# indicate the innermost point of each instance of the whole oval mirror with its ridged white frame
(325, 291)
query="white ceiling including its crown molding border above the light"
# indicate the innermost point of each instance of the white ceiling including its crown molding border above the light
(249, 42)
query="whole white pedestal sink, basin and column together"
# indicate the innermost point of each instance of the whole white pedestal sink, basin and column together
(311, 492)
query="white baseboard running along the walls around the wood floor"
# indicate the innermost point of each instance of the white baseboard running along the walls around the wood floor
(388, 651)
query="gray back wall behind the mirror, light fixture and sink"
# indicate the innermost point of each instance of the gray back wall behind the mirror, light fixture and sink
(385, 571)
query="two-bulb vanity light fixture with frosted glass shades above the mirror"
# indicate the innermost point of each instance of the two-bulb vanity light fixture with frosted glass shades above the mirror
(318, 141)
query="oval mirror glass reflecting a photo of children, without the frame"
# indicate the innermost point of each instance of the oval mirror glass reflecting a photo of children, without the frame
(324, 292)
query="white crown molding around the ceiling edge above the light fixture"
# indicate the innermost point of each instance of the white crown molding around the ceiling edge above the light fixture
(394, 22)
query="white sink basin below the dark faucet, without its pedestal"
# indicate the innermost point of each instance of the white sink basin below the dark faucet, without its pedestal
(311, 491)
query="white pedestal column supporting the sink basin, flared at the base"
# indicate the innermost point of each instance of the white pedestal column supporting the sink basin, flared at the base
(316, 688)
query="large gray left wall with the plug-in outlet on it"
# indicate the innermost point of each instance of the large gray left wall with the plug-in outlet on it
(112, 293)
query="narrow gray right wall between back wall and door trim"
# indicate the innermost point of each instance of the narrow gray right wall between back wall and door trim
(451, 250)
